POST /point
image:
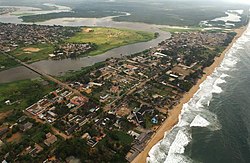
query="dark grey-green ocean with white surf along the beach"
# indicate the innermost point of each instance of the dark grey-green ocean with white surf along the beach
(214, 126)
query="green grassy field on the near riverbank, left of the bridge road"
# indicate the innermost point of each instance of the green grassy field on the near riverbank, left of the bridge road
(23, 93)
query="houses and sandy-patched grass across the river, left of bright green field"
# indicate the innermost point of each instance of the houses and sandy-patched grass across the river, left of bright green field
(28, 39)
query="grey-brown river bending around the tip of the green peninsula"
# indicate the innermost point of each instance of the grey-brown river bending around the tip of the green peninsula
(60, 67)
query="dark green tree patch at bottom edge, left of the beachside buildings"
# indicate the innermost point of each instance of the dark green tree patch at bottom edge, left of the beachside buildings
(113, 148)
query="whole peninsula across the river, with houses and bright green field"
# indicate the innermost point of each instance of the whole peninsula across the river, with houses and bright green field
(32, 43)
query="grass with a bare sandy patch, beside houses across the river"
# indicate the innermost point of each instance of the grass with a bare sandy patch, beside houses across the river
(33, 53)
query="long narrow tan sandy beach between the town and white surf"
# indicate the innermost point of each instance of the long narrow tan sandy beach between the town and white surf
(173, 118)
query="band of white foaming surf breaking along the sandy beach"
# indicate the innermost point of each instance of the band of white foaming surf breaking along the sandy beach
(195, 113)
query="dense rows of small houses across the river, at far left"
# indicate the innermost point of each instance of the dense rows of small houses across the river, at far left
(14, 35)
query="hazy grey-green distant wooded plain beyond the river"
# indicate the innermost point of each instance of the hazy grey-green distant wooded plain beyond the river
(188, 13)
